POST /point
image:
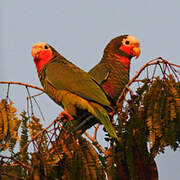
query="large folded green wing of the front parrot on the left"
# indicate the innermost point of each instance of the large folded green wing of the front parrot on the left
(63, 75)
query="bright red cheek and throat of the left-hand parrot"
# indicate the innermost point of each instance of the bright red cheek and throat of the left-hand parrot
(43, 57)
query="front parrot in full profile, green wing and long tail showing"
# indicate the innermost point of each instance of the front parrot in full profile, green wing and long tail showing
(70, 87)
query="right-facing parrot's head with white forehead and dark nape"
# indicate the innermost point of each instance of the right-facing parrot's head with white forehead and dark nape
(123, 48)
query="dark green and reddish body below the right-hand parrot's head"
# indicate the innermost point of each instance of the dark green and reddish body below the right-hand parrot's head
(111, 75)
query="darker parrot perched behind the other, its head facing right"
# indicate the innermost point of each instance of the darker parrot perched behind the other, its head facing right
(112, 72)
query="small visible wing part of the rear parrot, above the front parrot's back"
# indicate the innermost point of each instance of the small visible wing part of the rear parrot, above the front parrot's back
(100, 73)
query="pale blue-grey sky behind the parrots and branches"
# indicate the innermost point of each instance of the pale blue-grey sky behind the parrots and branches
(79, 30)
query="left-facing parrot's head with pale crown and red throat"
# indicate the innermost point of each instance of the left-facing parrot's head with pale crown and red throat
(42, 53)
